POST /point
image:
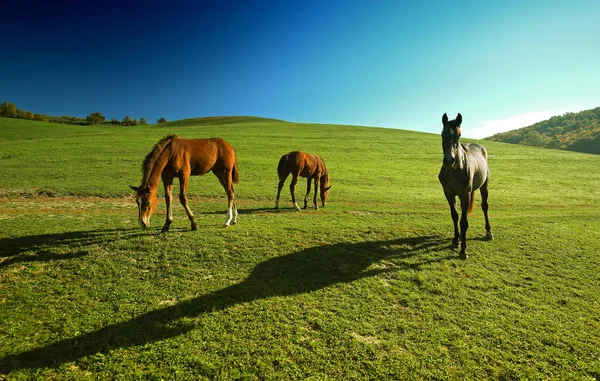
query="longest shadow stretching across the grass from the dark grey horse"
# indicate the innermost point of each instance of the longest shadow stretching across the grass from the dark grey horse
(301, 272)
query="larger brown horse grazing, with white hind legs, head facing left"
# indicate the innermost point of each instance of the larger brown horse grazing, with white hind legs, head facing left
(175, 157)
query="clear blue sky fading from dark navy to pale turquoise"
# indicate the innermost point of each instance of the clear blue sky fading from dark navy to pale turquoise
(397, 64)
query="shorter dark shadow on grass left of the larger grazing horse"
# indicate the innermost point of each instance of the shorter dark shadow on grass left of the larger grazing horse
(41, 248)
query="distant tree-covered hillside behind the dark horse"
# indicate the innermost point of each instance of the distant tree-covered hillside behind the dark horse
(573, 131)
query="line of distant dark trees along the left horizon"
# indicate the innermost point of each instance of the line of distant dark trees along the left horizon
(10, 110)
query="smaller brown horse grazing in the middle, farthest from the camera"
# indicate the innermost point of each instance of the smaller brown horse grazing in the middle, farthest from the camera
(305, 165)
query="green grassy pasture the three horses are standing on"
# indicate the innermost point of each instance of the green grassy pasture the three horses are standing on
(364, 288)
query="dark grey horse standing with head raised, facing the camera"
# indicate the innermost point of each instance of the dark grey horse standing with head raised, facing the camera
(465, 170)
